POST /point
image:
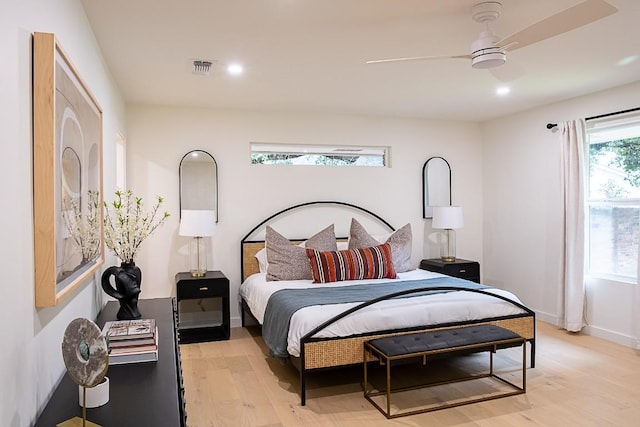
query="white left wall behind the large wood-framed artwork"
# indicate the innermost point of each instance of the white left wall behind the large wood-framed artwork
(31, 361)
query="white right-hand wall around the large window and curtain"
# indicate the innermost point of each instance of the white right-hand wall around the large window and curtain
(523, 209)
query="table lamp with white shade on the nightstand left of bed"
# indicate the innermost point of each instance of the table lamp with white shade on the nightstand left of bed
(197, 224)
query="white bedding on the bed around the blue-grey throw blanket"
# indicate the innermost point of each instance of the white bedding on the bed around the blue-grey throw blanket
(392, 314)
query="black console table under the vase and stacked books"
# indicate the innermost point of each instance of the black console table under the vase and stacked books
(140, 394)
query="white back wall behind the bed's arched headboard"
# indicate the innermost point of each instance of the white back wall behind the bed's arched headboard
(159, 137)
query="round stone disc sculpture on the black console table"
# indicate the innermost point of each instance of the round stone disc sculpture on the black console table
(85, 354)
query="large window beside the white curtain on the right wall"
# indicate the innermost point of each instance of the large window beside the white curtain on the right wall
(613, 198)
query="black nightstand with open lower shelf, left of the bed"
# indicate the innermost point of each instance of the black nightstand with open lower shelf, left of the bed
(197, 321)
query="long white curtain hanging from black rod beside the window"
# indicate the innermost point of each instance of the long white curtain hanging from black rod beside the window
(573, 182)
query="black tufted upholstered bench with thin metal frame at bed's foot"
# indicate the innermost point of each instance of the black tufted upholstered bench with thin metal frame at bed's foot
(477, 338)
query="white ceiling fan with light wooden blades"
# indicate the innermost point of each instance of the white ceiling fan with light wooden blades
(489, 51)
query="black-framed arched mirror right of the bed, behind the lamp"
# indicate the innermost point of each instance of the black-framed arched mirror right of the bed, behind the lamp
(436, 185)
